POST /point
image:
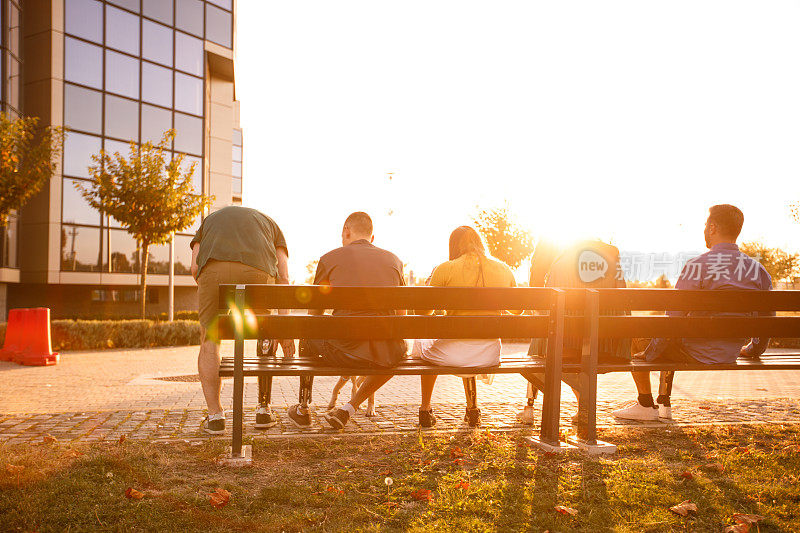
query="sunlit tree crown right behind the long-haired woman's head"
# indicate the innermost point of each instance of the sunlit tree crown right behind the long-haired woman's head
(507, 240)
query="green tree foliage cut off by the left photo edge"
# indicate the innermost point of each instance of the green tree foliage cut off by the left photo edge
(28, 158)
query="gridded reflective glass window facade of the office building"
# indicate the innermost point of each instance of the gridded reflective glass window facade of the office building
(133, 69)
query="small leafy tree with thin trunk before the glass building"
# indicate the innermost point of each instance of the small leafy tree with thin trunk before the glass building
(149, 196)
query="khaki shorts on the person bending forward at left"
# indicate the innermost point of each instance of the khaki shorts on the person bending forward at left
(216, 273)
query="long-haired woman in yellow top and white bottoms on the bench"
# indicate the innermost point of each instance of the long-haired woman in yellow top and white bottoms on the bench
(468, 267)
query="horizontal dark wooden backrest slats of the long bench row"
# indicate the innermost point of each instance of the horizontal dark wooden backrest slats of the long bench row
(257, 299)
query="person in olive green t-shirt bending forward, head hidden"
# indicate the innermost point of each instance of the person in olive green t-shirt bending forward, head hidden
(235, 245)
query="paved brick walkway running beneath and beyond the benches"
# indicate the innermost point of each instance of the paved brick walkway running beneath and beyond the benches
(153, 394)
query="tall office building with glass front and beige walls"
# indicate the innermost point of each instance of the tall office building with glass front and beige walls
(112, 73)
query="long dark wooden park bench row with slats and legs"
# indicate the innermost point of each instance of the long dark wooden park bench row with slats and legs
(244, 314)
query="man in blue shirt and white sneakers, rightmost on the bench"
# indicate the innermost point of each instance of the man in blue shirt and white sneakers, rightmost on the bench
(723, 267)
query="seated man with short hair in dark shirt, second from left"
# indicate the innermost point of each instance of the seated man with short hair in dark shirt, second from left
(358, 263)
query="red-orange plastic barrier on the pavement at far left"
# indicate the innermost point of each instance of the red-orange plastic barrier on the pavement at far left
(30, 337)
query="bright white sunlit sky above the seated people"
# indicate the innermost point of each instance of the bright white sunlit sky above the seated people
(622, 120)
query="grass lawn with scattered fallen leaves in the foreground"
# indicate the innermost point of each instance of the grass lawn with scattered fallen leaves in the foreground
(477, 482)
